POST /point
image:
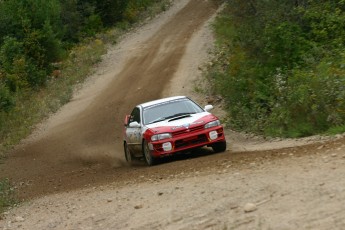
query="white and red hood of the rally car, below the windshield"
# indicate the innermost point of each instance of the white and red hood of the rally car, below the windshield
(182, 123)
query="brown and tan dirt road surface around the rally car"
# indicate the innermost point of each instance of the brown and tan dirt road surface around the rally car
(72, 175)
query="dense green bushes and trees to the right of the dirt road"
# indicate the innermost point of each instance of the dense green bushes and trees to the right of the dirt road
(280, 65)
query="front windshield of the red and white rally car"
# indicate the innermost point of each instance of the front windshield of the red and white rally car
(170, 110)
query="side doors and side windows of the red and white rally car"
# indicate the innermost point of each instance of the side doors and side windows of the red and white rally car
(133, 132)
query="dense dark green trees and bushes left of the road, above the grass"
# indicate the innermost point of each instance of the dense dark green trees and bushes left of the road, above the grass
(35, 33)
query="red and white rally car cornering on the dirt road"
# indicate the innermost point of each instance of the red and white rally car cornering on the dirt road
(170, 125)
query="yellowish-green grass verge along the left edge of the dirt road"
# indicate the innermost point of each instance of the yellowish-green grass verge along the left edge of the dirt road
(32, 107)
